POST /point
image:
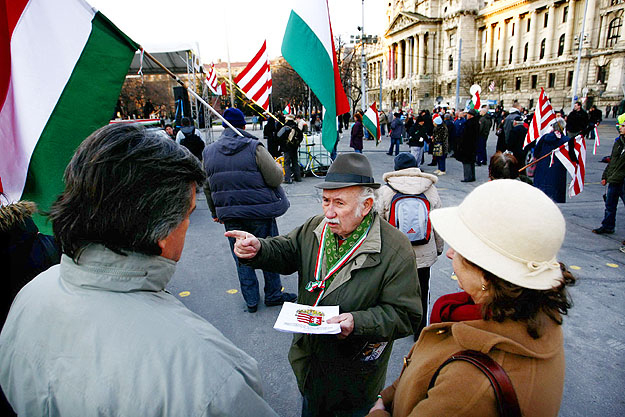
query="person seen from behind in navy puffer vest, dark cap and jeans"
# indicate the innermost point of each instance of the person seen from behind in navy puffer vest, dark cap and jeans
(243, 192)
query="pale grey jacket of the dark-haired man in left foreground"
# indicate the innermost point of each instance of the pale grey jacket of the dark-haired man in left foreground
(103, 337)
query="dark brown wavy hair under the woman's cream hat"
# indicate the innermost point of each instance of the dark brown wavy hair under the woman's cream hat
(512, 302)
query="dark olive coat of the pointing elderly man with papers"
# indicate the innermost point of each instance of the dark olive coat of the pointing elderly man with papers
(378, 285)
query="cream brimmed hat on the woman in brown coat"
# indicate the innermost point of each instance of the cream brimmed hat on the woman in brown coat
(508, 228)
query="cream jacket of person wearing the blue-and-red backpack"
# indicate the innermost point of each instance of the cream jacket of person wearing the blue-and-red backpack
(413, 181)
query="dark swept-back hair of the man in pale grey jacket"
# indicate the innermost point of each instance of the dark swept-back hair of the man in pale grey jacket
(126, 187)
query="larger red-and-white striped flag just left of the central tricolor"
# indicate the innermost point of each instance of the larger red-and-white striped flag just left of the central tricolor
(255, 79)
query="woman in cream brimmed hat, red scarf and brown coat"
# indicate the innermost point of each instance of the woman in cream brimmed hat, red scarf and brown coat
(511, 309)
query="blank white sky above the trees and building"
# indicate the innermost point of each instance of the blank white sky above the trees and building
(206, 24)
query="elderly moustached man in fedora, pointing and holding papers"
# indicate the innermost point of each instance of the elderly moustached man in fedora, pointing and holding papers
(349, 257)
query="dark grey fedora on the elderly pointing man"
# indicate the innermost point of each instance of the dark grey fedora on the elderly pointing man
(347, 170)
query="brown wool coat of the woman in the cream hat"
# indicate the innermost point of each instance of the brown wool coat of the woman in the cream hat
(535, 367)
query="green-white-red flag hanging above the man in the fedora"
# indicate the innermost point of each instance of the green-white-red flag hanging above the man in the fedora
(308, 45)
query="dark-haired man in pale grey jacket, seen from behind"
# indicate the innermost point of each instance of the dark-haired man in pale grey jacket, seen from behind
(98, 334)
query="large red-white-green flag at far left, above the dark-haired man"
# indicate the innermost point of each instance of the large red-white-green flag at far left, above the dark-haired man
(62, 65)
